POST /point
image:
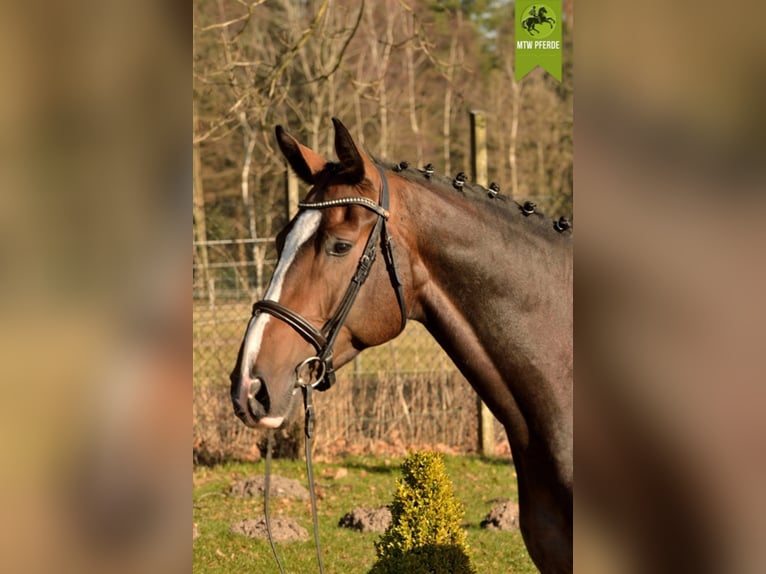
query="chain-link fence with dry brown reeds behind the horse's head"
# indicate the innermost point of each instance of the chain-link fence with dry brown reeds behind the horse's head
(403, 394)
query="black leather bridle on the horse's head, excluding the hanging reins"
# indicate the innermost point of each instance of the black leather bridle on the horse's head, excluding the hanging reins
(319, 368)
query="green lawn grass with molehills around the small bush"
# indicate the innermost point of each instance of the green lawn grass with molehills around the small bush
(369, 482)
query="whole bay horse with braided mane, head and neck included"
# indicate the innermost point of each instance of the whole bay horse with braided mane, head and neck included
(492, 285)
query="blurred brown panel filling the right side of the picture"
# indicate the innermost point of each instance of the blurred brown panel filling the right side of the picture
(669, 284)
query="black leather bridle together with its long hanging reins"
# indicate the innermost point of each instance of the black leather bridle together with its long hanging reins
(318, 369)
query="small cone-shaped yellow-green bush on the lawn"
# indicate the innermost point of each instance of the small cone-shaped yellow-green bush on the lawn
(425, 535)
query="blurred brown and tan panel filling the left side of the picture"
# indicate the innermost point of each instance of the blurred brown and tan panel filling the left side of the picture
(95, 315)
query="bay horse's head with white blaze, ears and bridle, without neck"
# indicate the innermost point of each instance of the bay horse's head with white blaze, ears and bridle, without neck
(315, 316)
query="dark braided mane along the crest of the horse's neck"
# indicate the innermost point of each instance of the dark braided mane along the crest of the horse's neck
(501, 205)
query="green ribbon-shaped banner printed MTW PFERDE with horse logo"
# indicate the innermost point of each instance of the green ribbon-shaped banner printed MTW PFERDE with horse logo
(538, 37)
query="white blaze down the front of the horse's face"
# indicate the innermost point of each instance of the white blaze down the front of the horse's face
(305, 226)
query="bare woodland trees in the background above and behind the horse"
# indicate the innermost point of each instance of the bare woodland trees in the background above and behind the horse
(402, 74)
